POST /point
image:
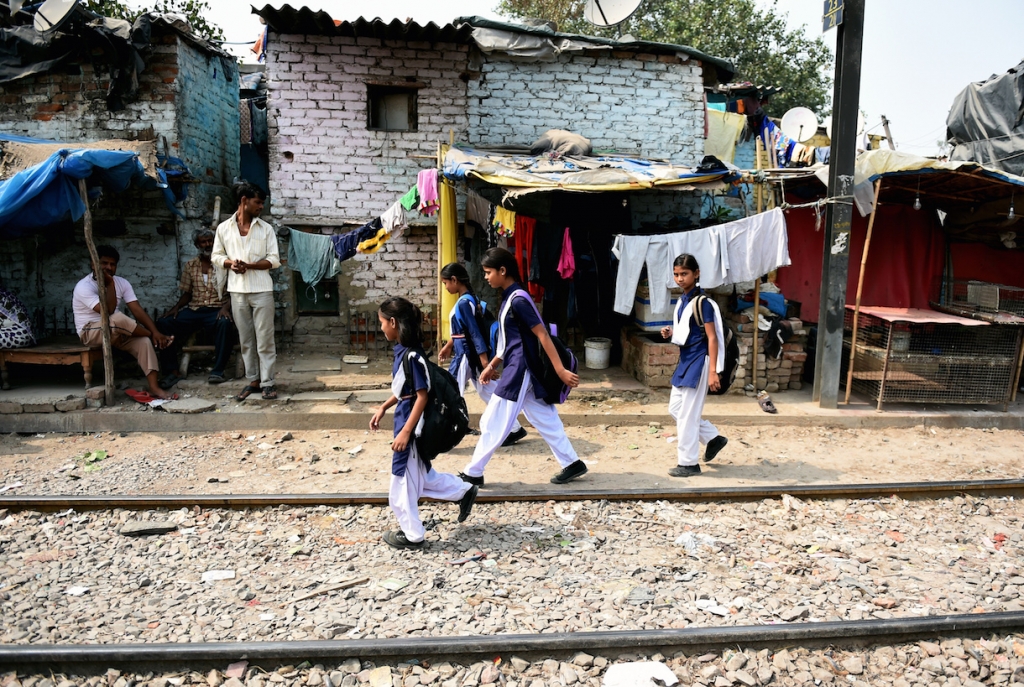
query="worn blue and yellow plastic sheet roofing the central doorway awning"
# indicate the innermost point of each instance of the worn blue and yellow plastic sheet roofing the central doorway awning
(573, 174)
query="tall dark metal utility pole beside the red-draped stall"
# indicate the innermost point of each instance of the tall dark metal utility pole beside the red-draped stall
(839, 214)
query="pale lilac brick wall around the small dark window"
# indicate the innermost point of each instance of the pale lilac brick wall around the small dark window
(326, 166)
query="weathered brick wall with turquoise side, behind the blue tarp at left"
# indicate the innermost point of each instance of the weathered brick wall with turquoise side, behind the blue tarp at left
(181, 99)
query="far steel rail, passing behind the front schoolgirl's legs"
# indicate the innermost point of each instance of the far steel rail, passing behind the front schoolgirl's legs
(904, 490)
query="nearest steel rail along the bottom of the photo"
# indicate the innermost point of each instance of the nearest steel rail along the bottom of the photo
(810, 635)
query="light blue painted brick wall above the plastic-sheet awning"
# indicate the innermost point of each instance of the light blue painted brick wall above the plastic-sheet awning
(649, 105)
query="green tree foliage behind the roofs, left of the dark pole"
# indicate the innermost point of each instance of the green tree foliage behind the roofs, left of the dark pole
(757, 41)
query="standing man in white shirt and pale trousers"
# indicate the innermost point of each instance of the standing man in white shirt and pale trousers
(247, 247)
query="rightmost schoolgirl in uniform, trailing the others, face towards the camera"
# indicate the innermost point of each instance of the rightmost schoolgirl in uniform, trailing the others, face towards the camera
(696, 372)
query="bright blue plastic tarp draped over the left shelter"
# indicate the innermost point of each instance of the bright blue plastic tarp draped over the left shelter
(49, 193)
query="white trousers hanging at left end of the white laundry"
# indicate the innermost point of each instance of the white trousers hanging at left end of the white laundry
(634, 253)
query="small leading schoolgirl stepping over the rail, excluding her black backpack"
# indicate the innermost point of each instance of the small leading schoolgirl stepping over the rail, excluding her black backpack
(412, 478)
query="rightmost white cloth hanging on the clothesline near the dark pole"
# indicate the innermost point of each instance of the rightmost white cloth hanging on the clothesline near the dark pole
(756, 246)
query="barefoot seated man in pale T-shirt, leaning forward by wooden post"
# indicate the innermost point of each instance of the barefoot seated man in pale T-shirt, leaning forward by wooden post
(135, 336)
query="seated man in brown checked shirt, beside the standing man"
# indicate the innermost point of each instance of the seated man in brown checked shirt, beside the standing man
(203, 306)
